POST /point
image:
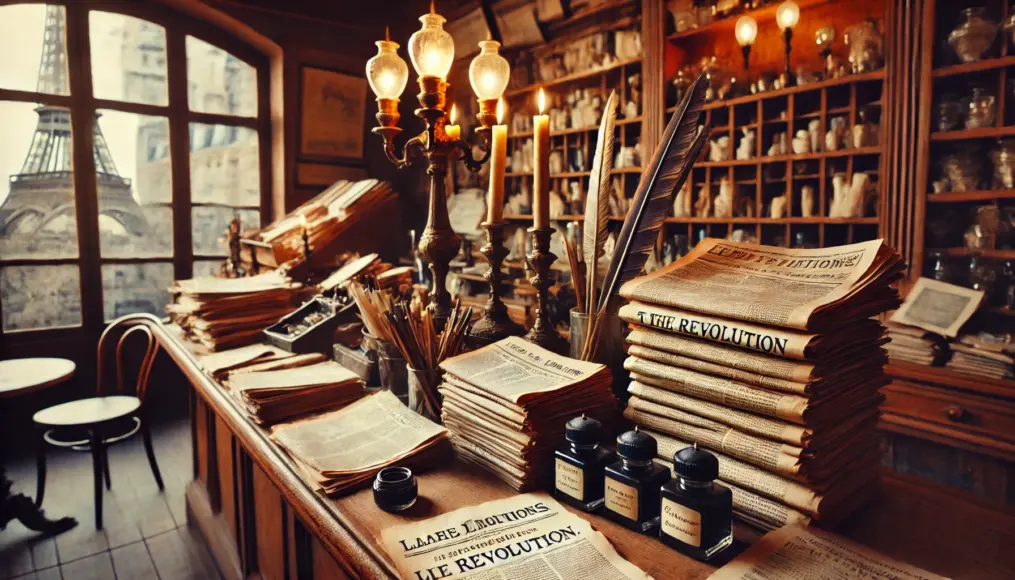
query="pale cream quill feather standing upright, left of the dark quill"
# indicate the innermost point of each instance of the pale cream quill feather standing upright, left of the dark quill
(597, 202)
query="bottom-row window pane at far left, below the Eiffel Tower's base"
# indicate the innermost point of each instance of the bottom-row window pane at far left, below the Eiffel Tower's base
(40, 297)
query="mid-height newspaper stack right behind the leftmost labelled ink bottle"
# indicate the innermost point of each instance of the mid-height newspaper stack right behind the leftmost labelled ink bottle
(507, 405)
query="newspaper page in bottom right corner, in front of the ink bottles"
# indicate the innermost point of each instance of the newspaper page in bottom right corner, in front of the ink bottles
(796, 553)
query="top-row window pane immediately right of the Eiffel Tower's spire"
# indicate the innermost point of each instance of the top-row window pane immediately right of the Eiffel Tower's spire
(128, 59)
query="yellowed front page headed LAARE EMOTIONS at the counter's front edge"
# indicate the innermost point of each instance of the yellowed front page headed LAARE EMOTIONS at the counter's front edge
(522, 538)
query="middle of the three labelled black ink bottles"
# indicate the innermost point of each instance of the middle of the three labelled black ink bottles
(633, 484)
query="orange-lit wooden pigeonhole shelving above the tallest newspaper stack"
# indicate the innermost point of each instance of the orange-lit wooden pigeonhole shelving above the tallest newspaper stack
(762, 178)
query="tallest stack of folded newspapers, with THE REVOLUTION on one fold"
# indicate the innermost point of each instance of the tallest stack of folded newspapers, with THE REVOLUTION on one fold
(770, 358)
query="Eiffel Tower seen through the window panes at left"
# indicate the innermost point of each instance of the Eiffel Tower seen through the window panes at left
(41, 205)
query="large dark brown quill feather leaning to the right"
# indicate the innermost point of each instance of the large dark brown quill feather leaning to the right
(679, 150)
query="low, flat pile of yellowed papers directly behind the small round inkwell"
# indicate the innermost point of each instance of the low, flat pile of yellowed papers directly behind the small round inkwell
(343, 450)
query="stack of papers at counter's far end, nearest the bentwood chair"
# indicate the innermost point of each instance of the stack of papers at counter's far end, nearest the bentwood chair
(226, 313)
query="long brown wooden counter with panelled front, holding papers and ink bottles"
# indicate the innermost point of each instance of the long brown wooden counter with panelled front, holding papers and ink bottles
(261, 521)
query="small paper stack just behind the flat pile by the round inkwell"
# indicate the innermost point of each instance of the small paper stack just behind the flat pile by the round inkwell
(284, 390)
